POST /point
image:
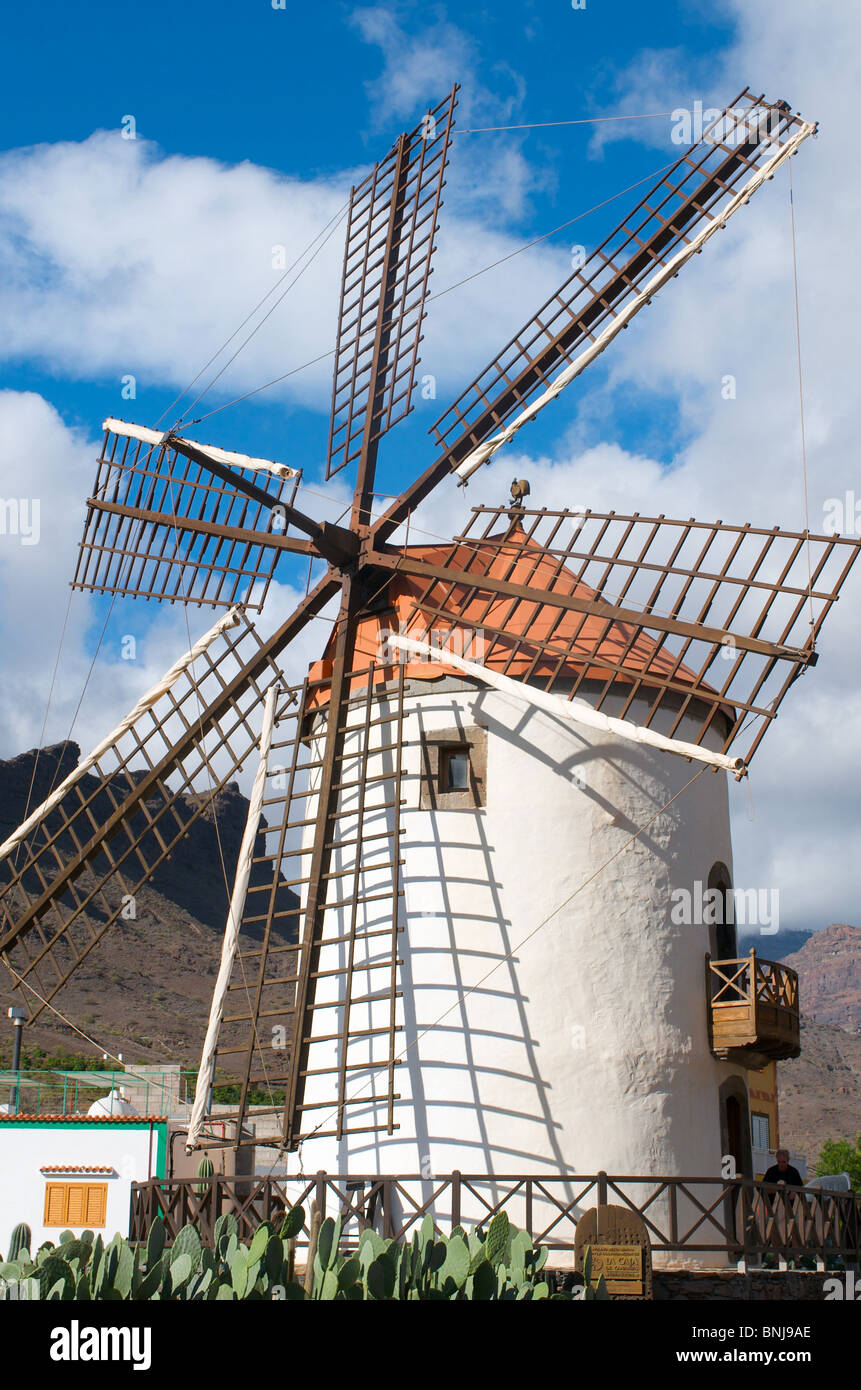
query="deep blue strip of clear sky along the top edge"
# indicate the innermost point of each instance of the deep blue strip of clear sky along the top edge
(289, 88)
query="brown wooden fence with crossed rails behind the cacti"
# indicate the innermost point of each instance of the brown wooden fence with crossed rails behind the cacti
(739, 1218)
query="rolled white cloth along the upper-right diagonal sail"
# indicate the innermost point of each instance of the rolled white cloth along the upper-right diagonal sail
(485, 452)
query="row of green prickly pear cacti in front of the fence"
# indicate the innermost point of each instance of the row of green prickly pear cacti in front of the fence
(499, 1264)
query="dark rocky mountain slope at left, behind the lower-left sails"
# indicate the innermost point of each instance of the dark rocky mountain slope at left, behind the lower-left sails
(145, 989)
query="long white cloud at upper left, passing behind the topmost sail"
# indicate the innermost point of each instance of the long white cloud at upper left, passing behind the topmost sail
(180, 250)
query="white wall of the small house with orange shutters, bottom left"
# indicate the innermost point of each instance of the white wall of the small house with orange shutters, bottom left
(133, 1152)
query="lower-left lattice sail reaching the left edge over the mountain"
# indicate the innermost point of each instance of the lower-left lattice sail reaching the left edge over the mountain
(69, 874)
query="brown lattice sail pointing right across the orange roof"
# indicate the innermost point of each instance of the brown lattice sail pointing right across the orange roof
(689, 619)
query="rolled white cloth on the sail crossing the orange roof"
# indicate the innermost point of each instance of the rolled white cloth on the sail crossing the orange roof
(575, 711)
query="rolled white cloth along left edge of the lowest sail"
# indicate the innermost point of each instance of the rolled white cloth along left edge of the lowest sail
(232, 932)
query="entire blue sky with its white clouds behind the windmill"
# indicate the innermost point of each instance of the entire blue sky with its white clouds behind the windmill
(143, 256)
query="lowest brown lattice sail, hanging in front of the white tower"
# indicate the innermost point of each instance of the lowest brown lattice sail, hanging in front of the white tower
(315, 1024)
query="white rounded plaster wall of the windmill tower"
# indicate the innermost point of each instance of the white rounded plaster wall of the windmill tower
(588, 1047)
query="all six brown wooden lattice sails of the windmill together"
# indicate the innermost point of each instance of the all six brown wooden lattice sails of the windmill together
(684, 618)
